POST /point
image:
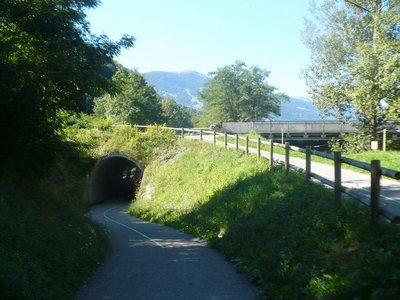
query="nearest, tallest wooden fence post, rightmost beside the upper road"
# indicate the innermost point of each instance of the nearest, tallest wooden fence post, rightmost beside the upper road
(375, 192)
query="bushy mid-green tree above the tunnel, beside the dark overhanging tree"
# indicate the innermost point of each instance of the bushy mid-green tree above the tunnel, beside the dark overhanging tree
(134, 102)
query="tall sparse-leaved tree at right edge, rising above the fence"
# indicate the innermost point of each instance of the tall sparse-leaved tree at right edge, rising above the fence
(355, 61)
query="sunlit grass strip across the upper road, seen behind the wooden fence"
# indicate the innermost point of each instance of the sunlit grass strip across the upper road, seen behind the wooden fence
(389, 159)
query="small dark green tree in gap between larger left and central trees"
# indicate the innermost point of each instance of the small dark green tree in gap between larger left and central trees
(176, 115)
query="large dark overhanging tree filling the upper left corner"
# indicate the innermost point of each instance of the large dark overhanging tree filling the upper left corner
(49, 62)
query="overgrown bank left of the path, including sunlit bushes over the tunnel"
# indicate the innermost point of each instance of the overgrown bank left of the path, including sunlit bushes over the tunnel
(48, 246)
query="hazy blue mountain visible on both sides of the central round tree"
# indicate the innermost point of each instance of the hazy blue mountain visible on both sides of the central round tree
(184, 88)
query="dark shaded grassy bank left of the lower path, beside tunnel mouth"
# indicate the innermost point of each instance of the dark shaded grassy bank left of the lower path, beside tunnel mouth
(48, 247)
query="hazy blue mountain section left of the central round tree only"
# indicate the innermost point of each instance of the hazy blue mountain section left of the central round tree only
(182, 86)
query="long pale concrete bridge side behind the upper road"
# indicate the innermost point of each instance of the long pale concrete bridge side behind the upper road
(292, 130)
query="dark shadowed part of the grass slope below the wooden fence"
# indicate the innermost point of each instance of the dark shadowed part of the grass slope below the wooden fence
(293, 239)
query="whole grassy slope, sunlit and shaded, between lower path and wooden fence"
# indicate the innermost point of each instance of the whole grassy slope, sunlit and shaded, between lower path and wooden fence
(288, 235)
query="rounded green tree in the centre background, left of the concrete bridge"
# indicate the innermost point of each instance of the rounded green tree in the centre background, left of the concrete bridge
(239, 93)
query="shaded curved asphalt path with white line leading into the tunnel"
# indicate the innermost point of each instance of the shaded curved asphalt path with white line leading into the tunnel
(151, 261)
